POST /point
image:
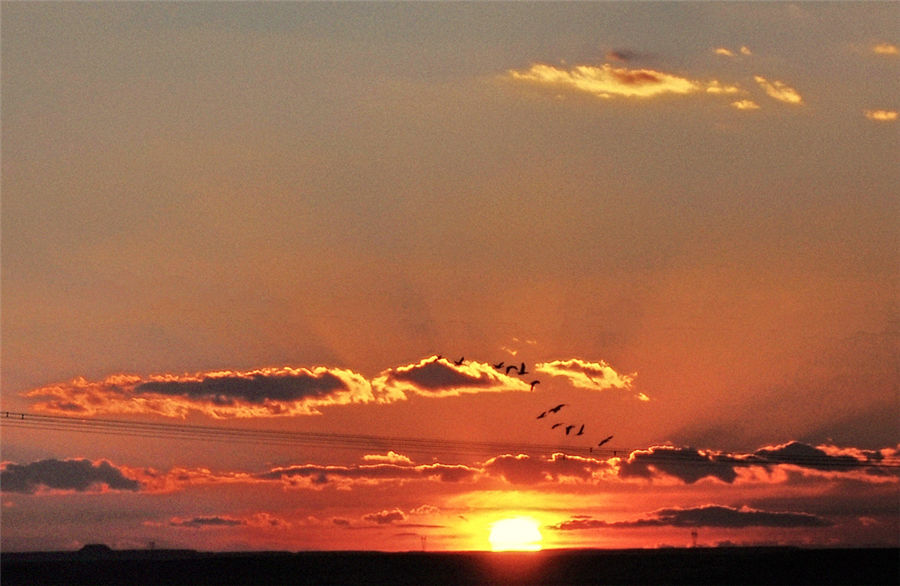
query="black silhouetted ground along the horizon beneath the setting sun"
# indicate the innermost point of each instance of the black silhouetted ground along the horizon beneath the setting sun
(98, 565)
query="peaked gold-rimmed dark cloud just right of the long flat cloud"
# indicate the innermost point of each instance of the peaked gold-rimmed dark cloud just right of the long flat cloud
(437, 377)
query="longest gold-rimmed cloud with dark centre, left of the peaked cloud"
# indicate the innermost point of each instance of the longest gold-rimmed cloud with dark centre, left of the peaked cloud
(264, 392)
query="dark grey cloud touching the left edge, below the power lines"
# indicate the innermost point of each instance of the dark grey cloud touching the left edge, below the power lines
(69, 475)
